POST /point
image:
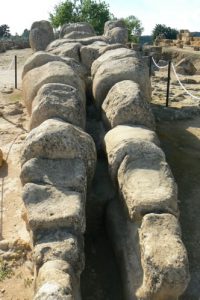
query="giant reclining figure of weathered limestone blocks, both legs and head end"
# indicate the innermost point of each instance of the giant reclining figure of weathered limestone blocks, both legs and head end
(78, 73)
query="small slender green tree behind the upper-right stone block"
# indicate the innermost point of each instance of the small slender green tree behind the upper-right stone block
(134, 27)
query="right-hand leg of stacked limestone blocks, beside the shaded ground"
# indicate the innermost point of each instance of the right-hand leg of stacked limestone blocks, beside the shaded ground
(144, 224)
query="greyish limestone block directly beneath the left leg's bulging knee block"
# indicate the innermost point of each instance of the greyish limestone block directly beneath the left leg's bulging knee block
(66, 173)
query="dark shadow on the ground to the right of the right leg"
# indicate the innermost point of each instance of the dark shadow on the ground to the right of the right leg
(182, 149)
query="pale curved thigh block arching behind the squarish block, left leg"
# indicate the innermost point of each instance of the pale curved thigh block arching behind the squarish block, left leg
(52, 72)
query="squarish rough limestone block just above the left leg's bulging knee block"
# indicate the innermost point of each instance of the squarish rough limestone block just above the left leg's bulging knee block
(61, 101)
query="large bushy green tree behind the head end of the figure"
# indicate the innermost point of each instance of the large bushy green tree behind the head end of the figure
(91, 11)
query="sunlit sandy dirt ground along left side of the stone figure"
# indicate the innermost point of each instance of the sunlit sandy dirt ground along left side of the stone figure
(15, 263)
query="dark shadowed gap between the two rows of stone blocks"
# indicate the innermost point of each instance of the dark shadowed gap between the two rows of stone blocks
(101, 276)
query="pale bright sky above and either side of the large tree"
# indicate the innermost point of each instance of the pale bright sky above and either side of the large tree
(179, 14)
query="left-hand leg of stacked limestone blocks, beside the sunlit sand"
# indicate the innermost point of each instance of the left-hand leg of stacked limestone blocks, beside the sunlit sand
(58, 163)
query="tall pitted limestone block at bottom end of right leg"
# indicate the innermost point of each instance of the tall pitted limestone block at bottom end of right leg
(164, 258)
